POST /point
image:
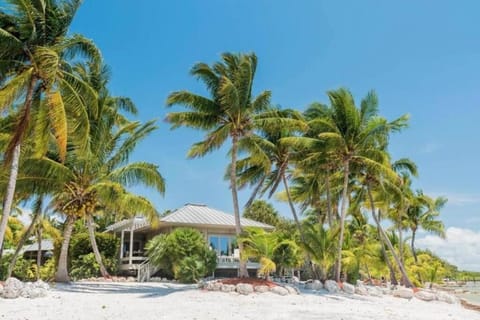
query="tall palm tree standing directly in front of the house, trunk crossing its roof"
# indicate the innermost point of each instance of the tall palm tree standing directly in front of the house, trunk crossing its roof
(231, 112)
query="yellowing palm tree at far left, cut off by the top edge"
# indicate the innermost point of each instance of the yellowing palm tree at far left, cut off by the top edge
(35, 48)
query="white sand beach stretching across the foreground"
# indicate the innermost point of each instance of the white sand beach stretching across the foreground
(94, 301)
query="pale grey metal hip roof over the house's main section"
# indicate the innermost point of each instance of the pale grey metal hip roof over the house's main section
(203, 215)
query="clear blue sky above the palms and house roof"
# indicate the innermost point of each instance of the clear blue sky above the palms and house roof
(421, 57)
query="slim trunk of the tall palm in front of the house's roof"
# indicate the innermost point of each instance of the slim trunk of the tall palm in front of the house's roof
(242, 271)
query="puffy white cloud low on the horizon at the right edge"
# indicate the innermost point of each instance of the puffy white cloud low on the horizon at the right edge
(461, 247)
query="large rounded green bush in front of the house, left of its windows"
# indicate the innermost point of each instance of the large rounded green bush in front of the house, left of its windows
(183, 254)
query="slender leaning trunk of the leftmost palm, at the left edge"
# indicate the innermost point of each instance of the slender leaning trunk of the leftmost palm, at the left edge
(12, 180)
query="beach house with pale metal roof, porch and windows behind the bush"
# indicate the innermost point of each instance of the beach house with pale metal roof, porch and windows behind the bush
(217, 227)
